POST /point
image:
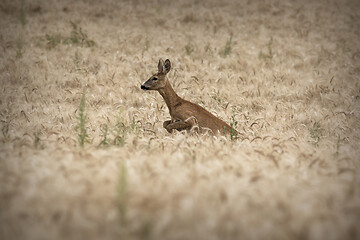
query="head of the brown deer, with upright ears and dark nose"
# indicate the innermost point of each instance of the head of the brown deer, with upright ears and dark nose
(158, 80)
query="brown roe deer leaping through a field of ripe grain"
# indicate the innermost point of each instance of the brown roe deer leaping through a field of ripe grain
(184, 114)
